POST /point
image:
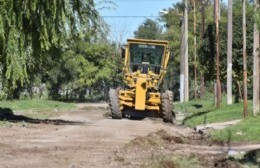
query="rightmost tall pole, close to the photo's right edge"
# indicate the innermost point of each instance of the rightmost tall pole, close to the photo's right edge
(244, 61)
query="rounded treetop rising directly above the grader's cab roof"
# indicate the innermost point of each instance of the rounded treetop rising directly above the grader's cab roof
(149, 29)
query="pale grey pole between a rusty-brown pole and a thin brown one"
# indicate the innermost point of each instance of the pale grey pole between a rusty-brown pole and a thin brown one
(229, 53)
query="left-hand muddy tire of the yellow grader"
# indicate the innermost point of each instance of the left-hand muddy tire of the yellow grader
(114, 104)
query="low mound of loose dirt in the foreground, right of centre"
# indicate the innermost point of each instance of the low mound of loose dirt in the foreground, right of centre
(161, 149)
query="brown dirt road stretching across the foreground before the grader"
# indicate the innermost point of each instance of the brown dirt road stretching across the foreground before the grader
(88, 138)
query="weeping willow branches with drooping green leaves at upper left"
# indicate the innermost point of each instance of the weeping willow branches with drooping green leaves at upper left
(30, 29)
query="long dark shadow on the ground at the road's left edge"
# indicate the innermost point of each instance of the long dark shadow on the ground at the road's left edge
(7, 114)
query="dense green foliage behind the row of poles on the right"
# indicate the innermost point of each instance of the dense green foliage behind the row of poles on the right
(206, 43)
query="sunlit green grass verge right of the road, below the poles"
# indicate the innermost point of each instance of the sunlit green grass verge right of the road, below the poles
(204, 112)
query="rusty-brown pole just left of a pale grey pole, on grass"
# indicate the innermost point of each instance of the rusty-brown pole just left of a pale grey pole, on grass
(217, 54)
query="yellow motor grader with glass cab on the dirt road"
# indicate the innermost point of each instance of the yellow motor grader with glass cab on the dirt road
(145, 63)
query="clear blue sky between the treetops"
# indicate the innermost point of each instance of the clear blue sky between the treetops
(122, 28)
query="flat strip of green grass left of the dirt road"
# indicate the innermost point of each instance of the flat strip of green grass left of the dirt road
(36, 105)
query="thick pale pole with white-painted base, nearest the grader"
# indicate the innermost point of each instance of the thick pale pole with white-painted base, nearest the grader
(184, 76)
